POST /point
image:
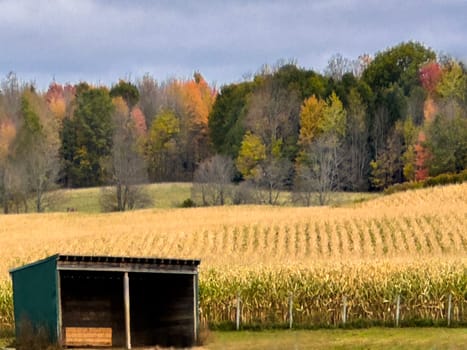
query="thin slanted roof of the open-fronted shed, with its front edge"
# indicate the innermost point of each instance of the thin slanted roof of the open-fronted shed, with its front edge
(119, 264)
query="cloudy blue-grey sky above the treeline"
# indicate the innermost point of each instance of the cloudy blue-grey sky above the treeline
(102, 41)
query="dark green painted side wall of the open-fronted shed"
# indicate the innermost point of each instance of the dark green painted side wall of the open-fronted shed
(35, 296)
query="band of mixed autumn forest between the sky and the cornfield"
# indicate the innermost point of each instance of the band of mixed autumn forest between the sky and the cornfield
(361, 125)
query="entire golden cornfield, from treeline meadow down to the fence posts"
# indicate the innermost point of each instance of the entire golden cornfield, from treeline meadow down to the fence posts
(412, 245)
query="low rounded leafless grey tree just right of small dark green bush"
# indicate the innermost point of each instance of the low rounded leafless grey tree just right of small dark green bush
(212, 183)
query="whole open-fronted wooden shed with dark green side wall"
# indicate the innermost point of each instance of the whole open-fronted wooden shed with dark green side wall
(108, 301)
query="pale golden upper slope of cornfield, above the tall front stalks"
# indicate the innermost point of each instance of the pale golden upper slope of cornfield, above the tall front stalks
(429, 222)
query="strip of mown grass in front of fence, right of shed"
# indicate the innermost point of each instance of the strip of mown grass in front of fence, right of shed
(374, 338)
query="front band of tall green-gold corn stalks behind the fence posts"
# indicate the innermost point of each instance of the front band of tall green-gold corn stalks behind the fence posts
(370, 291)
